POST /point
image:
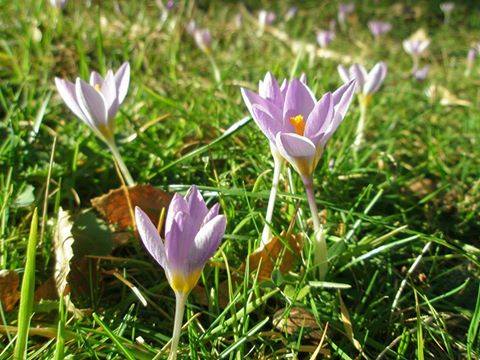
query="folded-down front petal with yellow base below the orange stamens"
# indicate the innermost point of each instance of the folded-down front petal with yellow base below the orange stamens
(298, 150)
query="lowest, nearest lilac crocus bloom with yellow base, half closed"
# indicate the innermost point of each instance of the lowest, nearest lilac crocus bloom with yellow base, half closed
(192, 235)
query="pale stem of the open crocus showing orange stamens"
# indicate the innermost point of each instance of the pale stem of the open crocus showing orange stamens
(320, 244)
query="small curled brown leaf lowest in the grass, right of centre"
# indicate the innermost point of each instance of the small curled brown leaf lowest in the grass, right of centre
(295, 319)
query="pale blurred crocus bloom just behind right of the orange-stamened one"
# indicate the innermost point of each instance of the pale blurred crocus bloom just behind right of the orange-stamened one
(367, 82)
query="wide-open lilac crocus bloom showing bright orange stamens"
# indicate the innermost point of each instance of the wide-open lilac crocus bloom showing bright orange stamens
(296, 124)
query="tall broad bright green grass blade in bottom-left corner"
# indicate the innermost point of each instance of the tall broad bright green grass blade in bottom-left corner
(28, 287)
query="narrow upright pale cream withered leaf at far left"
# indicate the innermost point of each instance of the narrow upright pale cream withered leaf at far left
(62, 242)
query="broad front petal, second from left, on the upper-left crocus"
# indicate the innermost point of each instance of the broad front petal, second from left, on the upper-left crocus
(92, 103)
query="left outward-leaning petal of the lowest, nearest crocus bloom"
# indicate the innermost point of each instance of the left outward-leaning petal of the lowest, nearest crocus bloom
(150, 237)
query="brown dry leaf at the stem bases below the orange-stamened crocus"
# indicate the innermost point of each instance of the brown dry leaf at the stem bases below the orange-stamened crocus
(281, 251)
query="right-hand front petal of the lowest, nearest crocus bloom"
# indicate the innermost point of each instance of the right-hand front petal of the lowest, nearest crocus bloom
(207, 241)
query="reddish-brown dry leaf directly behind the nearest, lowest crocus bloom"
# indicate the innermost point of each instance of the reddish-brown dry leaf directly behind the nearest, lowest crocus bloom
(114, 206)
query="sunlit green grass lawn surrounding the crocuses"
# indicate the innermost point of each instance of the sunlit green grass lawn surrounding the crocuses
(413, 183)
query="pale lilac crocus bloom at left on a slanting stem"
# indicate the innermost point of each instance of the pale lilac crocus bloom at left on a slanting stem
(96, 103)
